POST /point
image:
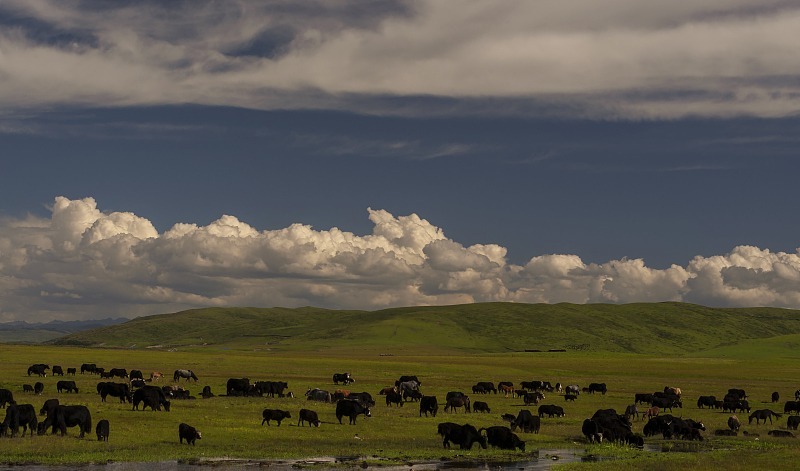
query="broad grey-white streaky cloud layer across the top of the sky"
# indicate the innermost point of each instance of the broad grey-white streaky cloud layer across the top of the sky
(618, 58)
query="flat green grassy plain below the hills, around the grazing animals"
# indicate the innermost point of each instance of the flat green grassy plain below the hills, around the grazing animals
(232, 426)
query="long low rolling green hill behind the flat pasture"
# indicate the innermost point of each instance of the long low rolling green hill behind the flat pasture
(661, 328)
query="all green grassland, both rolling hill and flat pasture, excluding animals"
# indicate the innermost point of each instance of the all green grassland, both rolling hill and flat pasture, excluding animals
(449, 349)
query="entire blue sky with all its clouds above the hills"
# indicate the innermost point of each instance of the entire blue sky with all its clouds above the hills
(160, 156)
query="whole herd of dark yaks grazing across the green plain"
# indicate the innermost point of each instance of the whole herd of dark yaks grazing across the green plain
(604, 425)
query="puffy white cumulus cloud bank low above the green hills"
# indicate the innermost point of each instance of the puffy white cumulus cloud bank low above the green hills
(82, 263)
